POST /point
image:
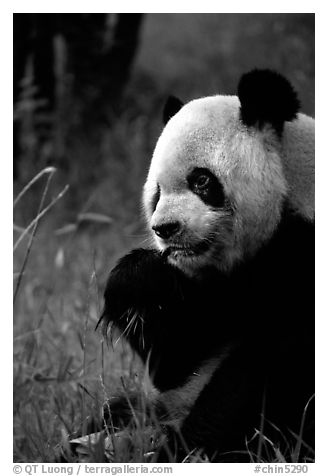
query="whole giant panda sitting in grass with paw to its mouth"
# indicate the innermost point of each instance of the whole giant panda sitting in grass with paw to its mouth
(221, 307)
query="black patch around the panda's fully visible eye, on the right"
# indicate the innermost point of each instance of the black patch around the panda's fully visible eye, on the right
(205, 184)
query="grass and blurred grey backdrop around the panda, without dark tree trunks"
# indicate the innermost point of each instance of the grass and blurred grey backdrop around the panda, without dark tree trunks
(63, 371)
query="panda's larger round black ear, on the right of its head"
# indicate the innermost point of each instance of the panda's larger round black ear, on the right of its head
(267, 97)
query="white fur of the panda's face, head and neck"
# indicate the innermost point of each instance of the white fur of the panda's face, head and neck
(257, 170)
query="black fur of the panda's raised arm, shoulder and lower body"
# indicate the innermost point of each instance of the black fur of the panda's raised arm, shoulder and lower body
(263, 310)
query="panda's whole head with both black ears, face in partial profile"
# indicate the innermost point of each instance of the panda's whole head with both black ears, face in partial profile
(215, 188)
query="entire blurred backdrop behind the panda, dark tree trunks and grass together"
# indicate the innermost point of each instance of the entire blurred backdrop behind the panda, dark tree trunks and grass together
(88, 96)
